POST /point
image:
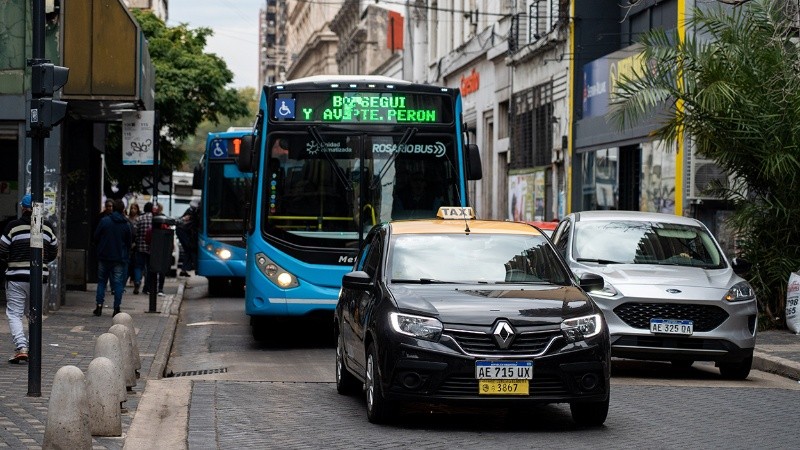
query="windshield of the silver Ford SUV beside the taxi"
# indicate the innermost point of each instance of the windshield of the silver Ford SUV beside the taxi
(632, 242)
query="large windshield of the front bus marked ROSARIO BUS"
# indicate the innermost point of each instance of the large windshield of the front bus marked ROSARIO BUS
(324, 189)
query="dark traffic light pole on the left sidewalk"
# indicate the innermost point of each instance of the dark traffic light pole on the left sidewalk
(44, 114)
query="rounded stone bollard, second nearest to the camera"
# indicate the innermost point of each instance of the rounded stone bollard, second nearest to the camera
(102, 393)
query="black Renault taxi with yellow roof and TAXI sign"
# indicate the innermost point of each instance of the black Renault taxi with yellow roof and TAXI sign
(462, 311)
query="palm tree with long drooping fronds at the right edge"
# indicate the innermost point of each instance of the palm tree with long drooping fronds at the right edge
(734, 89)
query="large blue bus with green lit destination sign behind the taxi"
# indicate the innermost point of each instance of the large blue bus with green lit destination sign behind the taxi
(331, 157)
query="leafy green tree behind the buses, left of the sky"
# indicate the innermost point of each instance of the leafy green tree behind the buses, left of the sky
(191, 87)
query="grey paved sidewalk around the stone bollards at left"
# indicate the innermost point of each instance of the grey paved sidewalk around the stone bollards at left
(69, 335)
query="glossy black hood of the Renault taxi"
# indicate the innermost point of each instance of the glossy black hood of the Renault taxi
(479, 305)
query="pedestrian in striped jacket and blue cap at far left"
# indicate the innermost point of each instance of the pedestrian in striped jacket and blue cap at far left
(15, 250)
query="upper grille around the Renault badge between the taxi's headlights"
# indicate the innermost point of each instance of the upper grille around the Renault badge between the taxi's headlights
(523, 343)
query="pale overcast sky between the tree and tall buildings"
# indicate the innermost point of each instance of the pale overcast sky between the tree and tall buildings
(235, 25)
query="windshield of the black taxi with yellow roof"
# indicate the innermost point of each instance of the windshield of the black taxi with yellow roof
(475, 258)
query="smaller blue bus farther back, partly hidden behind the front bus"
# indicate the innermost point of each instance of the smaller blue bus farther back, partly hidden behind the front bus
(224, 191)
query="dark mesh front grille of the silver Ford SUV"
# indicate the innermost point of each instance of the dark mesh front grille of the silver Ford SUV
(638, 315)
